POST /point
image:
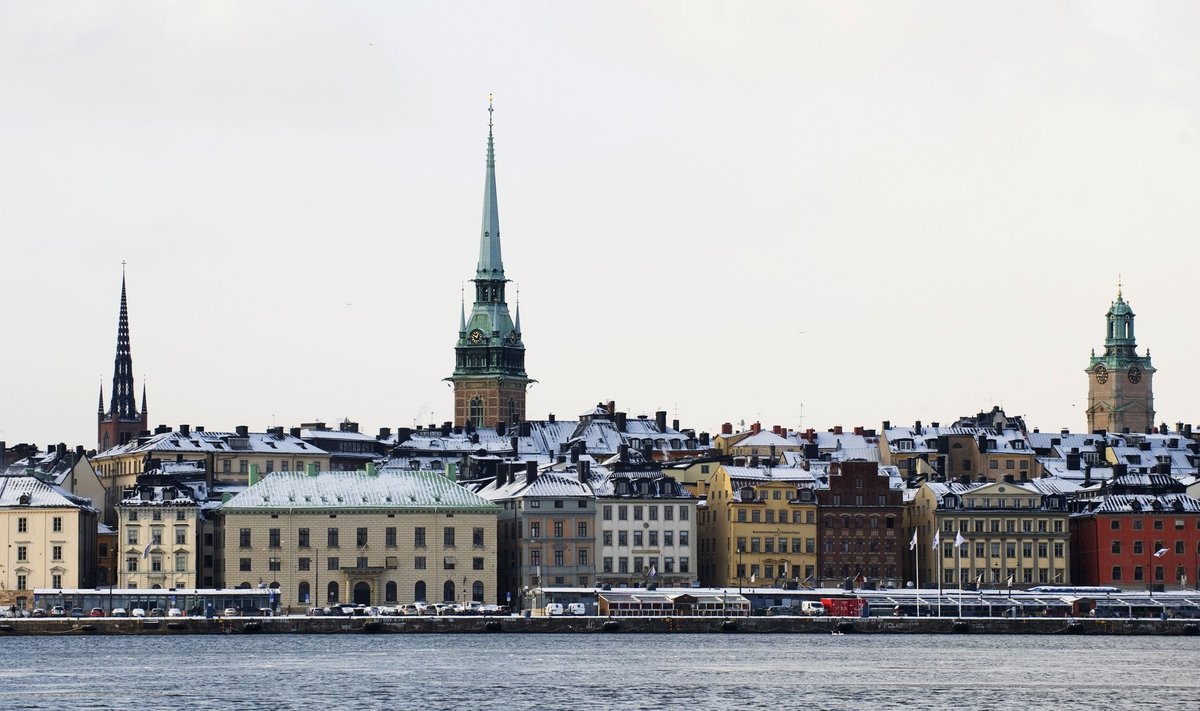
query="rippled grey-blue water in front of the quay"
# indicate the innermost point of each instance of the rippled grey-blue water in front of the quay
(601, 672)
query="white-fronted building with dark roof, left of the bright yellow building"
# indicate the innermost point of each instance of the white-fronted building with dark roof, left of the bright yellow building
(647, 527)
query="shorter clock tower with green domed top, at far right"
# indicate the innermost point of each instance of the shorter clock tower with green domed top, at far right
(1120, 395)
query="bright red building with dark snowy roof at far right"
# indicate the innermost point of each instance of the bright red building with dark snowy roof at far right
(1142, 530)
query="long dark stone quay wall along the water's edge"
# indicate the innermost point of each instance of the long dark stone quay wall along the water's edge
(597, 625)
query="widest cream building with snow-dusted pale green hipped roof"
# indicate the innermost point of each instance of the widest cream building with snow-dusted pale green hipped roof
(370, 537)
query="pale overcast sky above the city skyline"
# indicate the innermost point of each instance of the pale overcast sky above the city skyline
(806, 214)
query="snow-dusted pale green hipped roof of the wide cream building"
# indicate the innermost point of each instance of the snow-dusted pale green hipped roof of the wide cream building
(386, 491)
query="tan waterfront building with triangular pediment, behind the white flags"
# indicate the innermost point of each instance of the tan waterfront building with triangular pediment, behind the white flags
(1012, 535)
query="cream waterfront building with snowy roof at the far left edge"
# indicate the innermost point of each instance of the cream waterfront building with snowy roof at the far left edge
(47, 540)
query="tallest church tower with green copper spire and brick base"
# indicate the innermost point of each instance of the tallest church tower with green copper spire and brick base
(489, 379)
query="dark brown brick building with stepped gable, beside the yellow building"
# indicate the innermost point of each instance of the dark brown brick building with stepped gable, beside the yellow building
(861, 533)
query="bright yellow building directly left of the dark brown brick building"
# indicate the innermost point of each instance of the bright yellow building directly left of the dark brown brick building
(758, 528)
